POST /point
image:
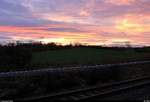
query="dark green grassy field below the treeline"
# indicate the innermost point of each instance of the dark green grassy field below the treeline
(85, 56)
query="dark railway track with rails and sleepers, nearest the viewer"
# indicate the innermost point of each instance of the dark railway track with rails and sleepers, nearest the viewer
(92, 92)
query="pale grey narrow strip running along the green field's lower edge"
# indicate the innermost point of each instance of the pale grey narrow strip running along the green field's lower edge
(63, 69)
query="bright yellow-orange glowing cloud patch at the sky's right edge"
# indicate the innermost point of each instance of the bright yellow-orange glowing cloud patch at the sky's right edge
(130, 24)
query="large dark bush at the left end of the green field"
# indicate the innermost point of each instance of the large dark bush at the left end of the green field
(14, 57)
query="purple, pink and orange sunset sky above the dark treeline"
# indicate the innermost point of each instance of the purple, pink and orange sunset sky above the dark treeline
(93, 22)
